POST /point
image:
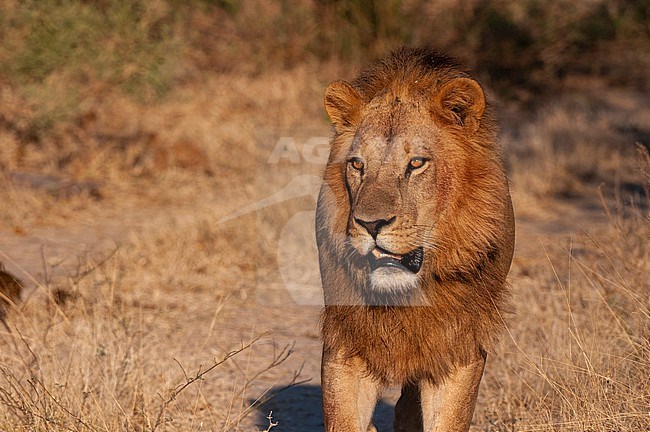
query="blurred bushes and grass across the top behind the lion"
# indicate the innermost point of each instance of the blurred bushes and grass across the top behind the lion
(80, 80)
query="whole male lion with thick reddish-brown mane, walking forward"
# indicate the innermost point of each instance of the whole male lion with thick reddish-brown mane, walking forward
(415, 234)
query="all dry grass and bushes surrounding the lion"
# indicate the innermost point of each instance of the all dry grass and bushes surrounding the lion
(128, 130)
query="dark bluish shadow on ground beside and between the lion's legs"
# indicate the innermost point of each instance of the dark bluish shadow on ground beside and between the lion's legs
(299, 409)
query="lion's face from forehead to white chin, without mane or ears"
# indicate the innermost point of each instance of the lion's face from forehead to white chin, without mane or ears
(390, 177)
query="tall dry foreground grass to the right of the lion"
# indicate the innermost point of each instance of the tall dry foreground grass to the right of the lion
(577, 351)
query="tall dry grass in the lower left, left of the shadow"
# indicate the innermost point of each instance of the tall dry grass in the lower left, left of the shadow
(128, 340)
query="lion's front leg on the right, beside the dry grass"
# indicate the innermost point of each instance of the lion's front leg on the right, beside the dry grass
(449, 407)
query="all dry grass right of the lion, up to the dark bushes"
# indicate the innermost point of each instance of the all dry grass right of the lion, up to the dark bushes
(577, 353)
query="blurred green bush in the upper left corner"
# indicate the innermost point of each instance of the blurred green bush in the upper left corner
(53, 49)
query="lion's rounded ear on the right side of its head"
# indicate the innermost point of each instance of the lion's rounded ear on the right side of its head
(461, 101)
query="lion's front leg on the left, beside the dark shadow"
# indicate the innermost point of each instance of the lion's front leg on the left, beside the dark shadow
(349, 394)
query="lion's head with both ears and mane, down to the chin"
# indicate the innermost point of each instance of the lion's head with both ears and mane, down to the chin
(414, 190)
